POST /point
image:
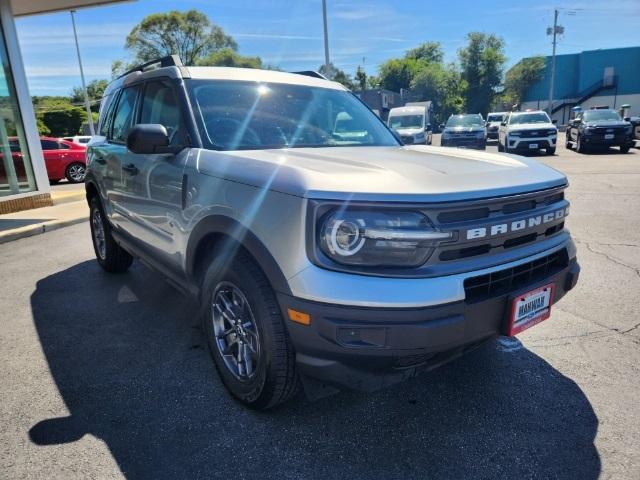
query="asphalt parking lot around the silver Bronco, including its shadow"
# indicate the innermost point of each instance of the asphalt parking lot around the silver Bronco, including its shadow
(107, 376)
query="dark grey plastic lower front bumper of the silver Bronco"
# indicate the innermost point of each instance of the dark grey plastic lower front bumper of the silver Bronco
(365, 348)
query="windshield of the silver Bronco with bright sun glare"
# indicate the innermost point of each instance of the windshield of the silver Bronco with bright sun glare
(235, 115)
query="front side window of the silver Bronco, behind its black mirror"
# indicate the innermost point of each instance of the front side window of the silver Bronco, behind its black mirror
(160, 105)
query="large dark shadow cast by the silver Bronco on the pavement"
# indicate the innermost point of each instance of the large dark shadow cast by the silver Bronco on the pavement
(128, 358)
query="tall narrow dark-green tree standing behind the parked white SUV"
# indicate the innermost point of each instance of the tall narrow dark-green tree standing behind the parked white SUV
(482, 63)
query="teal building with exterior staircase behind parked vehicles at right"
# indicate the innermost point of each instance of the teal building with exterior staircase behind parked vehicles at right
(608, 77)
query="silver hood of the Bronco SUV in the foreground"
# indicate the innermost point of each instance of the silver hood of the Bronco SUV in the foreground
(409, 173)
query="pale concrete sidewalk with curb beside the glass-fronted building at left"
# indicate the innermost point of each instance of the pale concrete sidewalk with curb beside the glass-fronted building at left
(27, 223)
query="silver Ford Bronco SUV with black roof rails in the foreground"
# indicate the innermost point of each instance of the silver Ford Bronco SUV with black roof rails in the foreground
(320, 256)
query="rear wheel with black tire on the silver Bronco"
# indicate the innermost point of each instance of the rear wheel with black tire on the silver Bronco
(111, 256)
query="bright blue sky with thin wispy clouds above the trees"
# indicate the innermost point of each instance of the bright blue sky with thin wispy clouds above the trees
(288, 34)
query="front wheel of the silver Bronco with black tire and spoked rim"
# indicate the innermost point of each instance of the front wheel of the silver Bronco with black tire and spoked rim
(274, 379)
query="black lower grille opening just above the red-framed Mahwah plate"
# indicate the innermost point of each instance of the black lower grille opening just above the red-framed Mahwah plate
(510, 279)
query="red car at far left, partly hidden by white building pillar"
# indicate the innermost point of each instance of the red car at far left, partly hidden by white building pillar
(62, 158)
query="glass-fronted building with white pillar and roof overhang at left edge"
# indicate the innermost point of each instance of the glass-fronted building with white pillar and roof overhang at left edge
(23, 175)
